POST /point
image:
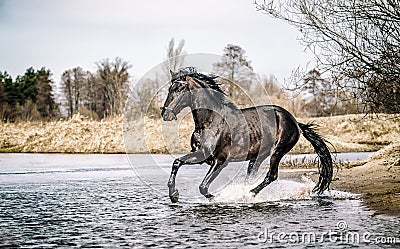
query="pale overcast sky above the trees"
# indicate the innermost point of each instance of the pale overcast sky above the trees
(67, 33)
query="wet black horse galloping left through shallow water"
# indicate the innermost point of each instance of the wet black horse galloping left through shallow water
(224, 133)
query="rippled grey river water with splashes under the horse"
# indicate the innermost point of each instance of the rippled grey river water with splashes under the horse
(52, 200)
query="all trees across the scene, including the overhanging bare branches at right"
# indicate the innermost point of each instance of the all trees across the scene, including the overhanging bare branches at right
(355, 43)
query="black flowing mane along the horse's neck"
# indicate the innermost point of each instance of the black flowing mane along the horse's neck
(206, 81)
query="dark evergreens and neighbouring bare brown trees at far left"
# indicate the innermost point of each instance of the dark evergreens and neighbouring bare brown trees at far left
(96, 94)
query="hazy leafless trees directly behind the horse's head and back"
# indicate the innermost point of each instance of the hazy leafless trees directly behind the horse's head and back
(245, 88)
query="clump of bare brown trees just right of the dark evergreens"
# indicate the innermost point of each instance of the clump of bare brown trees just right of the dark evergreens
(97, 94)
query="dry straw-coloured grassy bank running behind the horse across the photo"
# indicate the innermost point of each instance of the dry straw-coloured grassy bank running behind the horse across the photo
(81, 135)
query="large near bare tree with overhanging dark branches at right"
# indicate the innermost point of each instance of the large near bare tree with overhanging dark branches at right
(355, 42)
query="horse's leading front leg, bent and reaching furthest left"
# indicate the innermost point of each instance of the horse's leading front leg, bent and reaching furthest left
(195, 157)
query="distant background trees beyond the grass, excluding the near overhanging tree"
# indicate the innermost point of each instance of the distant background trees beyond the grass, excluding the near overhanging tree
(103, 93)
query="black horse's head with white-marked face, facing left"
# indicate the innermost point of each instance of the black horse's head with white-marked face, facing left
(178, 96)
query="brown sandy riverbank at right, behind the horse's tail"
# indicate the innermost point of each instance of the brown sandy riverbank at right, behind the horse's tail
(377, 179)
